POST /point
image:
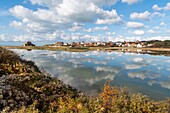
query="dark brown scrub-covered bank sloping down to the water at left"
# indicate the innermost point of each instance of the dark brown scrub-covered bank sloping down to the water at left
(22, 83)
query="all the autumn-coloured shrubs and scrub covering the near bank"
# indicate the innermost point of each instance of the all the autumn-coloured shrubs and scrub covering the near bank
(32, 90)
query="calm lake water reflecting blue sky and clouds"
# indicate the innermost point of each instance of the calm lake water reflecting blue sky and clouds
(88, 71)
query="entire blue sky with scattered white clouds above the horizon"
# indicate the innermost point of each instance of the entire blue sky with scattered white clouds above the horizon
(84, 20)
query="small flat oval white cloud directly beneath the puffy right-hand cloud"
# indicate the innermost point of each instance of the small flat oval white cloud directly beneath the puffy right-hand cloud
(135, 25)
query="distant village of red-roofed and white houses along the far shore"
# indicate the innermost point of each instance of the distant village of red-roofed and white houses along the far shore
(136, 44)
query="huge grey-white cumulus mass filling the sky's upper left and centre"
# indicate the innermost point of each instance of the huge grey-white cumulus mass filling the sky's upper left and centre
(62, 14)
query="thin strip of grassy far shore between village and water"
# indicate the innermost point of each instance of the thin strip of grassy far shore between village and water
(151, 51)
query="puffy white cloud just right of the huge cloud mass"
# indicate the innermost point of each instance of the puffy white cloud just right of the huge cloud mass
(141, 16)
